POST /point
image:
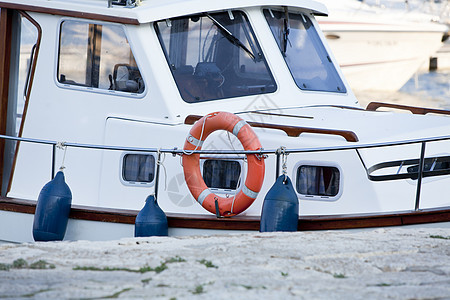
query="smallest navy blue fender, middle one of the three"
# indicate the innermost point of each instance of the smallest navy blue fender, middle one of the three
(151, 220)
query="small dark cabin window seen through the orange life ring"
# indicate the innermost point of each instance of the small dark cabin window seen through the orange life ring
(221, 174)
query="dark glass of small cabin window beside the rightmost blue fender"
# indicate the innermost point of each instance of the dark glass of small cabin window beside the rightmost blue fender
(320, 181)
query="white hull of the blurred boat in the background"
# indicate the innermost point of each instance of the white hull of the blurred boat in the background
(381, 60)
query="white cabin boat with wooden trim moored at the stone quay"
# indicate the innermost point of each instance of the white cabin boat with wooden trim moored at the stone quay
(115, 94)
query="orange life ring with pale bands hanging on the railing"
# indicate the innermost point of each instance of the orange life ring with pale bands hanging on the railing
(191, 163)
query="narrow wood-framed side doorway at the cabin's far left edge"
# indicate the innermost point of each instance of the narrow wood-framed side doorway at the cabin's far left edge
(20, 39)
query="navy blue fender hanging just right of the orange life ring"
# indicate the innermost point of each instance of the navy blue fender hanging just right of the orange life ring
(280, 207)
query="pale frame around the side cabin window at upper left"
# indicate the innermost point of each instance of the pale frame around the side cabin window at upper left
(93, 89)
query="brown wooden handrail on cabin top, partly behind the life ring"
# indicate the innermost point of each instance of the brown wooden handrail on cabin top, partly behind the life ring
(293, 131)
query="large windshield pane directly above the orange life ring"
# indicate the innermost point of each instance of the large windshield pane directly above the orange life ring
(214, 56)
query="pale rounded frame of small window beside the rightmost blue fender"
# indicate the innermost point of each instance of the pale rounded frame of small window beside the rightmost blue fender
(314, 163)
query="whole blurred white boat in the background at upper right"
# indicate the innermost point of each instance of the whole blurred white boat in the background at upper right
(380, 48)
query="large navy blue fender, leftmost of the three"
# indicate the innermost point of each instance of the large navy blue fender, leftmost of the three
(52, 210)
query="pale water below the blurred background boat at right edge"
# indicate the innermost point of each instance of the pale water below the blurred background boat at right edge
(425, 89)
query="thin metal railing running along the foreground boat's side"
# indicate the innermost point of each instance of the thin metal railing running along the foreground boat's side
(263, 152)
